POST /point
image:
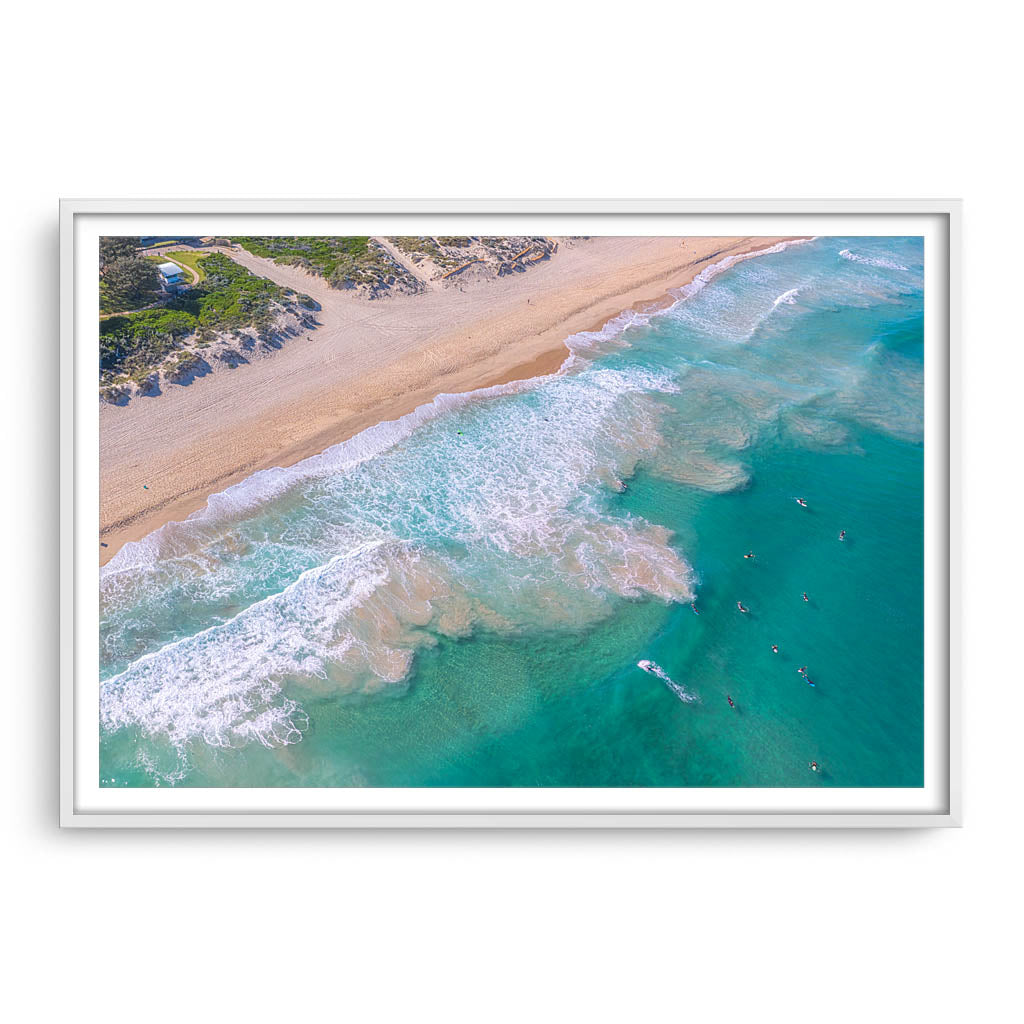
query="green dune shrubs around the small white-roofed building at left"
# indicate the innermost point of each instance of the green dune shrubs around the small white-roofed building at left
(229, 298)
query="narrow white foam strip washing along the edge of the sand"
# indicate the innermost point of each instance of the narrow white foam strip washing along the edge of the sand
(266, 485)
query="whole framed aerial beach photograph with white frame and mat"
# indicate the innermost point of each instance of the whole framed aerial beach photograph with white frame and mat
(509, 515)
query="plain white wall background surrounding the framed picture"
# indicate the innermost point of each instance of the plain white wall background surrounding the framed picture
(480, 100)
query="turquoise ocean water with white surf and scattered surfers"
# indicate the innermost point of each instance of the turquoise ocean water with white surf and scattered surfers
(461, 599)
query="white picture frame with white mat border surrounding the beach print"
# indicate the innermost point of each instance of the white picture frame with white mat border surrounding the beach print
(536, 809)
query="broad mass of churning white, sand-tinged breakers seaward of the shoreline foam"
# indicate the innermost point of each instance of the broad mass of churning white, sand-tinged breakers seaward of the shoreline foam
(356, 621)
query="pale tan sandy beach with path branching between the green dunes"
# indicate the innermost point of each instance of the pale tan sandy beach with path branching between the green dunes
(368, 362)
